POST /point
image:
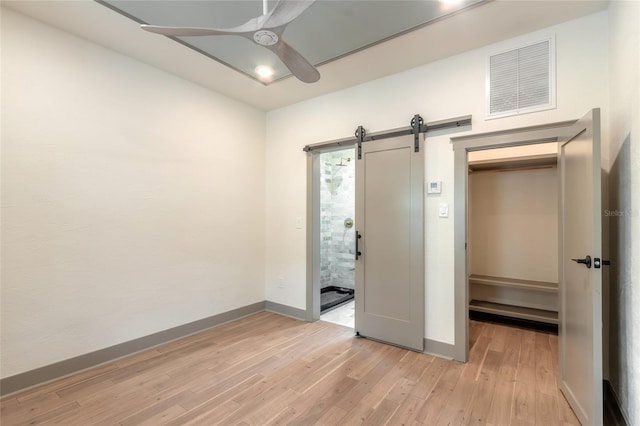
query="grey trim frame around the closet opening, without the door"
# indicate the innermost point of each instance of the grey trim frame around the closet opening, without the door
(462, 145)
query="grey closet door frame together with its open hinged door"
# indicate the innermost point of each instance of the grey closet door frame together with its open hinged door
(580, 249)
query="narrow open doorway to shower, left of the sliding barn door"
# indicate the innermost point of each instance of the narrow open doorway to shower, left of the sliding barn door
(337, 236)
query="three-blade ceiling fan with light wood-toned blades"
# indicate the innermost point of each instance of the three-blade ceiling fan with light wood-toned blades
(265, 30)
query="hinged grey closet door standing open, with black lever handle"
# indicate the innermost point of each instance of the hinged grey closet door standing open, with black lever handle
(581, 278)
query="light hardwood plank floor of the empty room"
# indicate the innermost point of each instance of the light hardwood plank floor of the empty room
(270, 369)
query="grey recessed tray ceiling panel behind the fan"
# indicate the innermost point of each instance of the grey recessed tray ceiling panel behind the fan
(325, 31)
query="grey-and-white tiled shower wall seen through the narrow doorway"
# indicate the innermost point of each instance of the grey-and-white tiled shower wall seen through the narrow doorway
(337, 203)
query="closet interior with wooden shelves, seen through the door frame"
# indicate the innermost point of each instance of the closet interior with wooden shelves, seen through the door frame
(513, 235)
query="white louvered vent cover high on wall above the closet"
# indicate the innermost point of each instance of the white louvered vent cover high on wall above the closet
(521, 80)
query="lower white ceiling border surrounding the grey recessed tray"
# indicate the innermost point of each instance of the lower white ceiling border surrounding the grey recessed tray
(472, 28)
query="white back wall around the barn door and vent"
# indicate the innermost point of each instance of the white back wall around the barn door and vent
(447, 88)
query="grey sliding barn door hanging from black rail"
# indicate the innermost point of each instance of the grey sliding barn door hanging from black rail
(389, 221)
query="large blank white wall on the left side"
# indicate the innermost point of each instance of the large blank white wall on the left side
(132, 200)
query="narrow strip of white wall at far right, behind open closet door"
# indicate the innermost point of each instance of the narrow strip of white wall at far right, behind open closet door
(624, 190)
